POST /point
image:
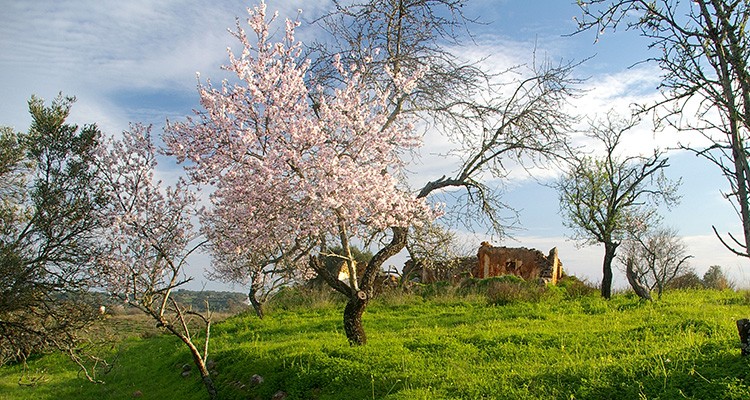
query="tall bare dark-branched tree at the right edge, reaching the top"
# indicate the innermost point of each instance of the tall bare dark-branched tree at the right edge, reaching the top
(703, 50)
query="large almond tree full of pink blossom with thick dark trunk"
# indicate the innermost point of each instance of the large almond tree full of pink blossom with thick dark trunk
(300, 168)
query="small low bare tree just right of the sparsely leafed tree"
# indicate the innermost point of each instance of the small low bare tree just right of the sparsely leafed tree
(656, 255)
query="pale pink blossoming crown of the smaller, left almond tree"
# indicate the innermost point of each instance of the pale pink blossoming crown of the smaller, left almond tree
(148, 226)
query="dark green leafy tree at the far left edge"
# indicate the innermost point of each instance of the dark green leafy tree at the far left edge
(48, 232)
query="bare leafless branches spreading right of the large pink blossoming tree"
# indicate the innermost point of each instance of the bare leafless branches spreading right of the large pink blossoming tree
(493, 118)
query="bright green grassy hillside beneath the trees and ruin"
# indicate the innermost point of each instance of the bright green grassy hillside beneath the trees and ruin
(550, 345)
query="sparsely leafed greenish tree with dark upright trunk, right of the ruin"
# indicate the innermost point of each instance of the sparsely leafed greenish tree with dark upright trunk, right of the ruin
(604, 198)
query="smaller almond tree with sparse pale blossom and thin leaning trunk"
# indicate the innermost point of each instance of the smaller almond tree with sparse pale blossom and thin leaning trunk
(149, 237)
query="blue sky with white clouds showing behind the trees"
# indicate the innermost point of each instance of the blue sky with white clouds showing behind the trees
(136, 61)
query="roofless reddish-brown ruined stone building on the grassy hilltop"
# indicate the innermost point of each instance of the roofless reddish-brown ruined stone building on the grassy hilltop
(529, 264)
